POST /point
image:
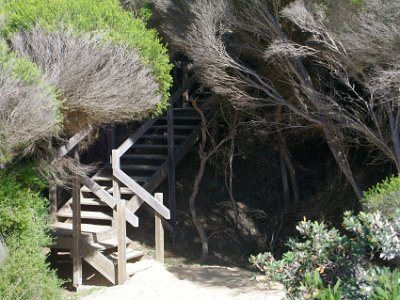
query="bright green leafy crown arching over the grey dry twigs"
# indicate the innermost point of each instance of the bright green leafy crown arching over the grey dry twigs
(105, 16)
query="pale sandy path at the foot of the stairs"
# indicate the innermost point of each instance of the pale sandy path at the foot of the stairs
(193, 282)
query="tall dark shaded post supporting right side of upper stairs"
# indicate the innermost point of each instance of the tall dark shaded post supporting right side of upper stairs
(171, 168)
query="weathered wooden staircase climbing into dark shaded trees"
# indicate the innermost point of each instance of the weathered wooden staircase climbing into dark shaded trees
(94, 219)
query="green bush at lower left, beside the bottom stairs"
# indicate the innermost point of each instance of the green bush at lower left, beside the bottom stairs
(24, 225)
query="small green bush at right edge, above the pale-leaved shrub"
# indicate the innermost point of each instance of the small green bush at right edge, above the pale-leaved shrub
(384, 196)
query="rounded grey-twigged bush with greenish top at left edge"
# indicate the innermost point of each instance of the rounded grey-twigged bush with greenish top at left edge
(25, 99)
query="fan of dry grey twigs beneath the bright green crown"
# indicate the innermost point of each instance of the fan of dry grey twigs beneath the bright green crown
(99, 83)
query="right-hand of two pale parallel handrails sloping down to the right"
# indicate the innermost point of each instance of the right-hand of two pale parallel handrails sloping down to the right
(142, 193)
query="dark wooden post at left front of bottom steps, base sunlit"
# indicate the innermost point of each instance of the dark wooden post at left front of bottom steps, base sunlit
(76, 230)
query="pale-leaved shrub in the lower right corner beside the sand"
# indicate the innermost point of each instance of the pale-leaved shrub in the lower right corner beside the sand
(325, 264)
